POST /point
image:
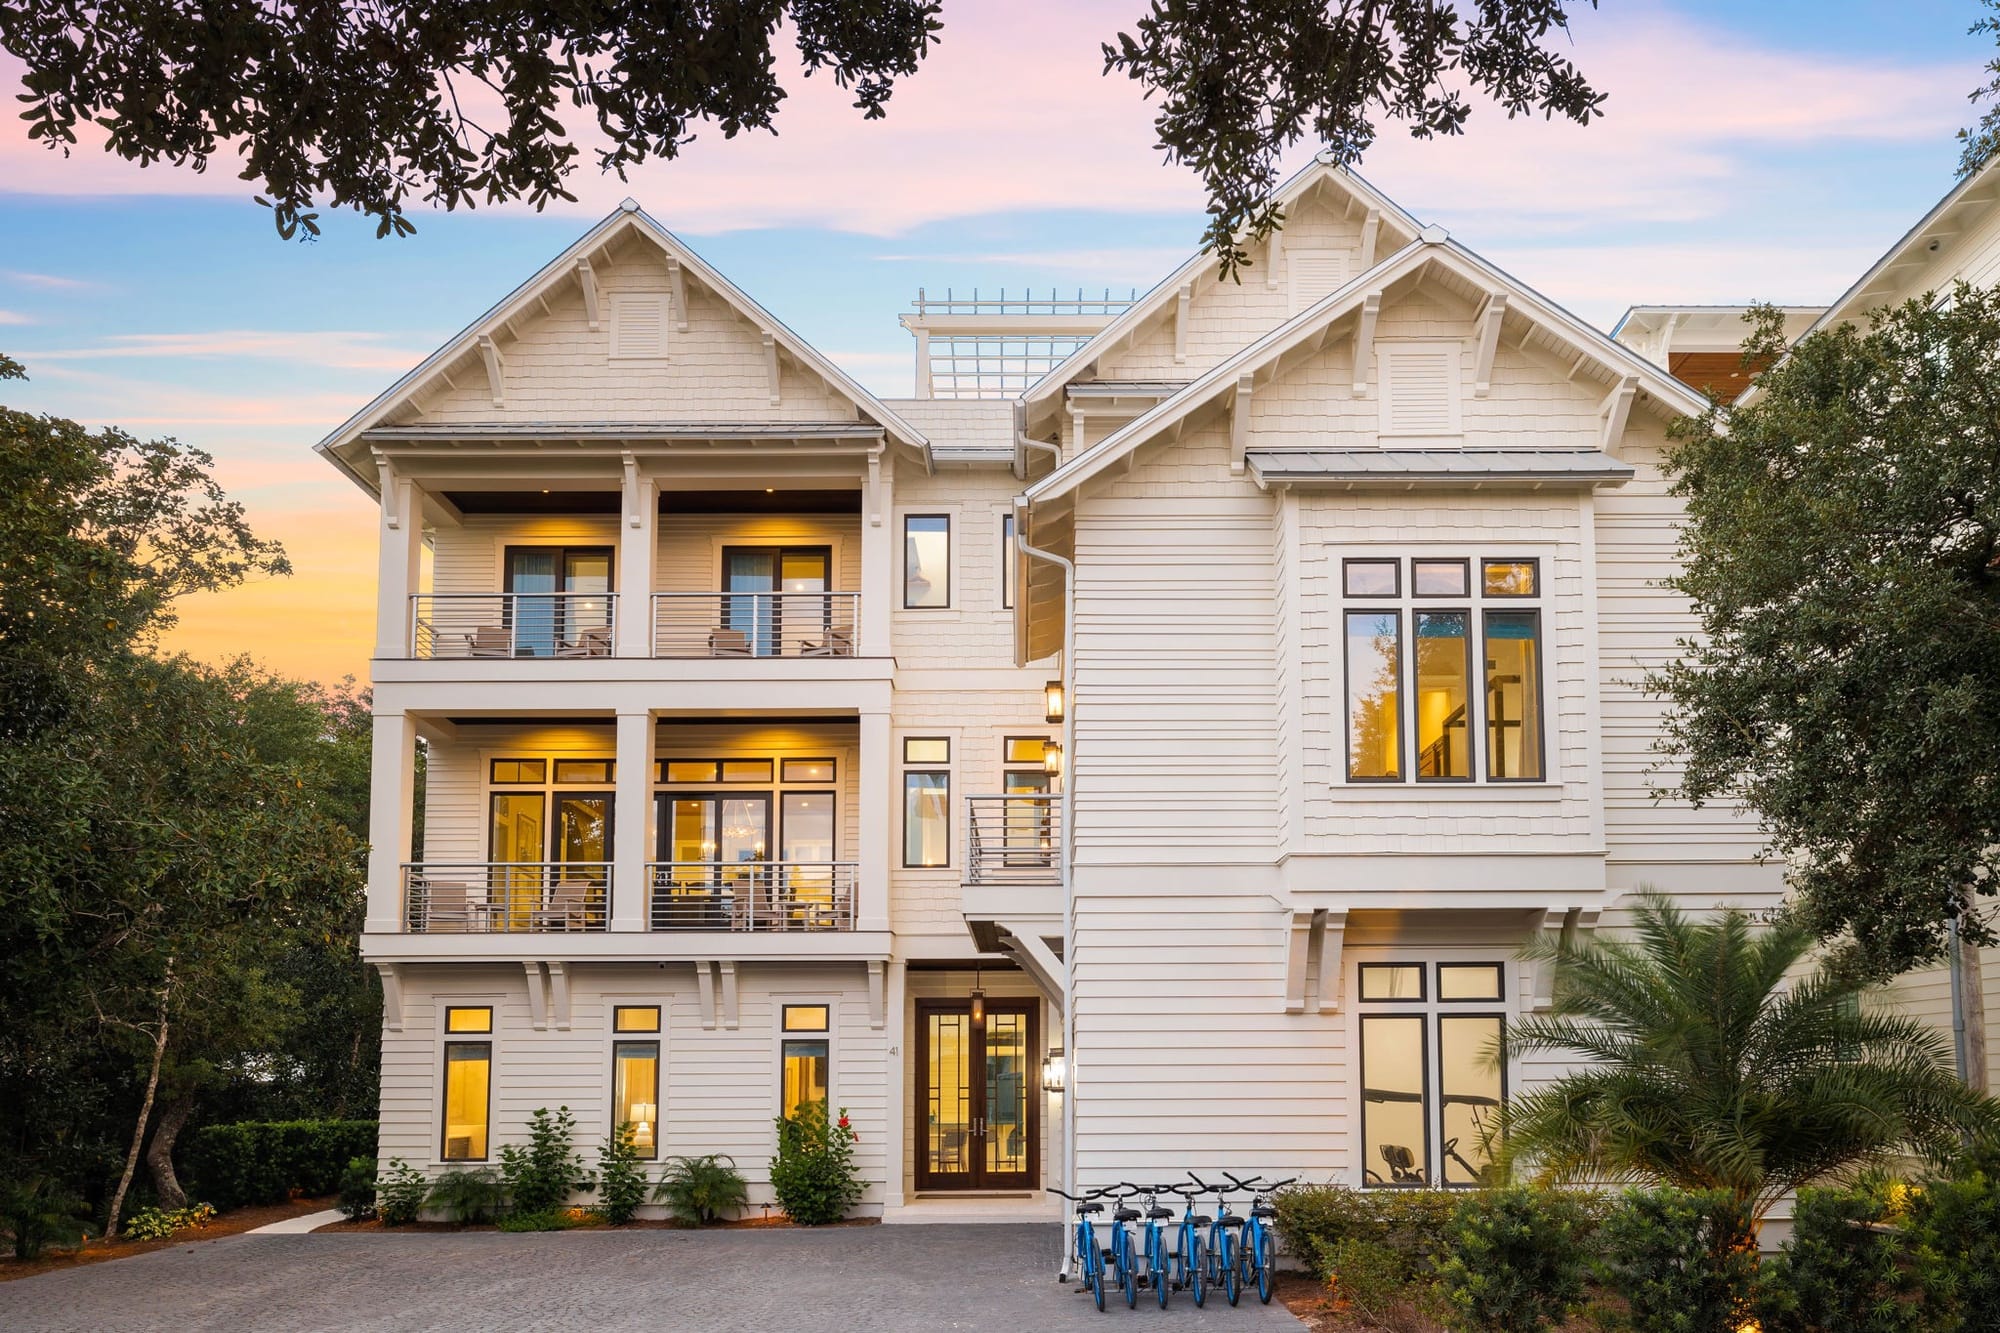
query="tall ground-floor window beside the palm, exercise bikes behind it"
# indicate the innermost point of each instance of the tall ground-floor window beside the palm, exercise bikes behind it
(1431, 1070)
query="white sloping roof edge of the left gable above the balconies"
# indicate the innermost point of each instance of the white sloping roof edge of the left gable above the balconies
(627, 219)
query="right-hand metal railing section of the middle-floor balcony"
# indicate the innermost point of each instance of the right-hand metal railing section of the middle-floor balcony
(759, 898)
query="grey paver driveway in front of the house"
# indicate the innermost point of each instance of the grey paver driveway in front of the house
(877, 1280)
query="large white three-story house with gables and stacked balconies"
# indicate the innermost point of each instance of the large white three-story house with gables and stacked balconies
(1149, 754)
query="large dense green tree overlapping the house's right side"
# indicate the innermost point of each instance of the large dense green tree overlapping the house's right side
(1843, 553)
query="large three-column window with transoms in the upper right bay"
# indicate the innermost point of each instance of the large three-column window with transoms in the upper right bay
(1443, 670)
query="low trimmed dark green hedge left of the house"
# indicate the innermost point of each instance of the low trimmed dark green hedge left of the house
(265, 1162)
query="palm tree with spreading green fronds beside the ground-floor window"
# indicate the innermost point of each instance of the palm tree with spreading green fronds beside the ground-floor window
(1719, 1060)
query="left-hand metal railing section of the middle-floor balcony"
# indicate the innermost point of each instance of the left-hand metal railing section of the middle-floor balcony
(491, 898)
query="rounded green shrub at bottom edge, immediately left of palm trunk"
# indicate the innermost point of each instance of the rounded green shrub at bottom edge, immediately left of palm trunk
(1683, 1262)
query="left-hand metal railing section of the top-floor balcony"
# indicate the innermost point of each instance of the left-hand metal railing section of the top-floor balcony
(513, 625)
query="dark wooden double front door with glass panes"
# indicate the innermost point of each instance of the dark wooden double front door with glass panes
(979, 1096)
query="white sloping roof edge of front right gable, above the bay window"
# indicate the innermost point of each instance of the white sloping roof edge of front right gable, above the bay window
(1431, 249)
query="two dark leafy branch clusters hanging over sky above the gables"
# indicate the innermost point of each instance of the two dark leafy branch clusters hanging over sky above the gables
(451, 103)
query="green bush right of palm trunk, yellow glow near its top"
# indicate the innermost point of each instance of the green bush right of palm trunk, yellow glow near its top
(1849, 1268)
